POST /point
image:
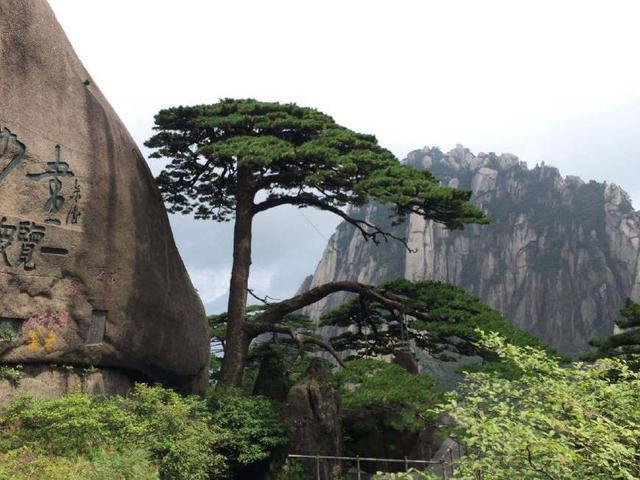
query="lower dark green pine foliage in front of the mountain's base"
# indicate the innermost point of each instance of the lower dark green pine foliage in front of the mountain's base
(452, 319)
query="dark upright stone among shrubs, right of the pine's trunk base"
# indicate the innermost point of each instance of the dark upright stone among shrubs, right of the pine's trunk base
(313, 414)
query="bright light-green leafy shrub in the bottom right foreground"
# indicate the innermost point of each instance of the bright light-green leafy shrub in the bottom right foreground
(551, 421)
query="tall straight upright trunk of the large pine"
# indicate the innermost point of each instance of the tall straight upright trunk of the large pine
(237, 341)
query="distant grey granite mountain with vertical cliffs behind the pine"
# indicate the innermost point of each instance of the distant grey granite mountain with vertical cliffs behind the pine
(558, 259)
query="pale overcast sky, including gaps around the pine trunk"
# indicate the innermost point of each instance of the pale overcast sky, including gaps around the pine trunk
(553, 81)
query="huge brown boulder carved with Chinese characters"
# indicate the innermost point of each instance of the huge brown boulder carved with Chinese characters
(89, 272)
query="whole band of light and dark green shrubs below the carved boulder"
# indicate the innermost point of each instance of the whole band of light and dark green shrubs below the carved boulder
(153, 432)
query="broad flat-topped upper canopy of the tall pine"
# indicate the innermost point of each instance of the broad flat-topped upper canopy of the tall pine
(294, 155)
